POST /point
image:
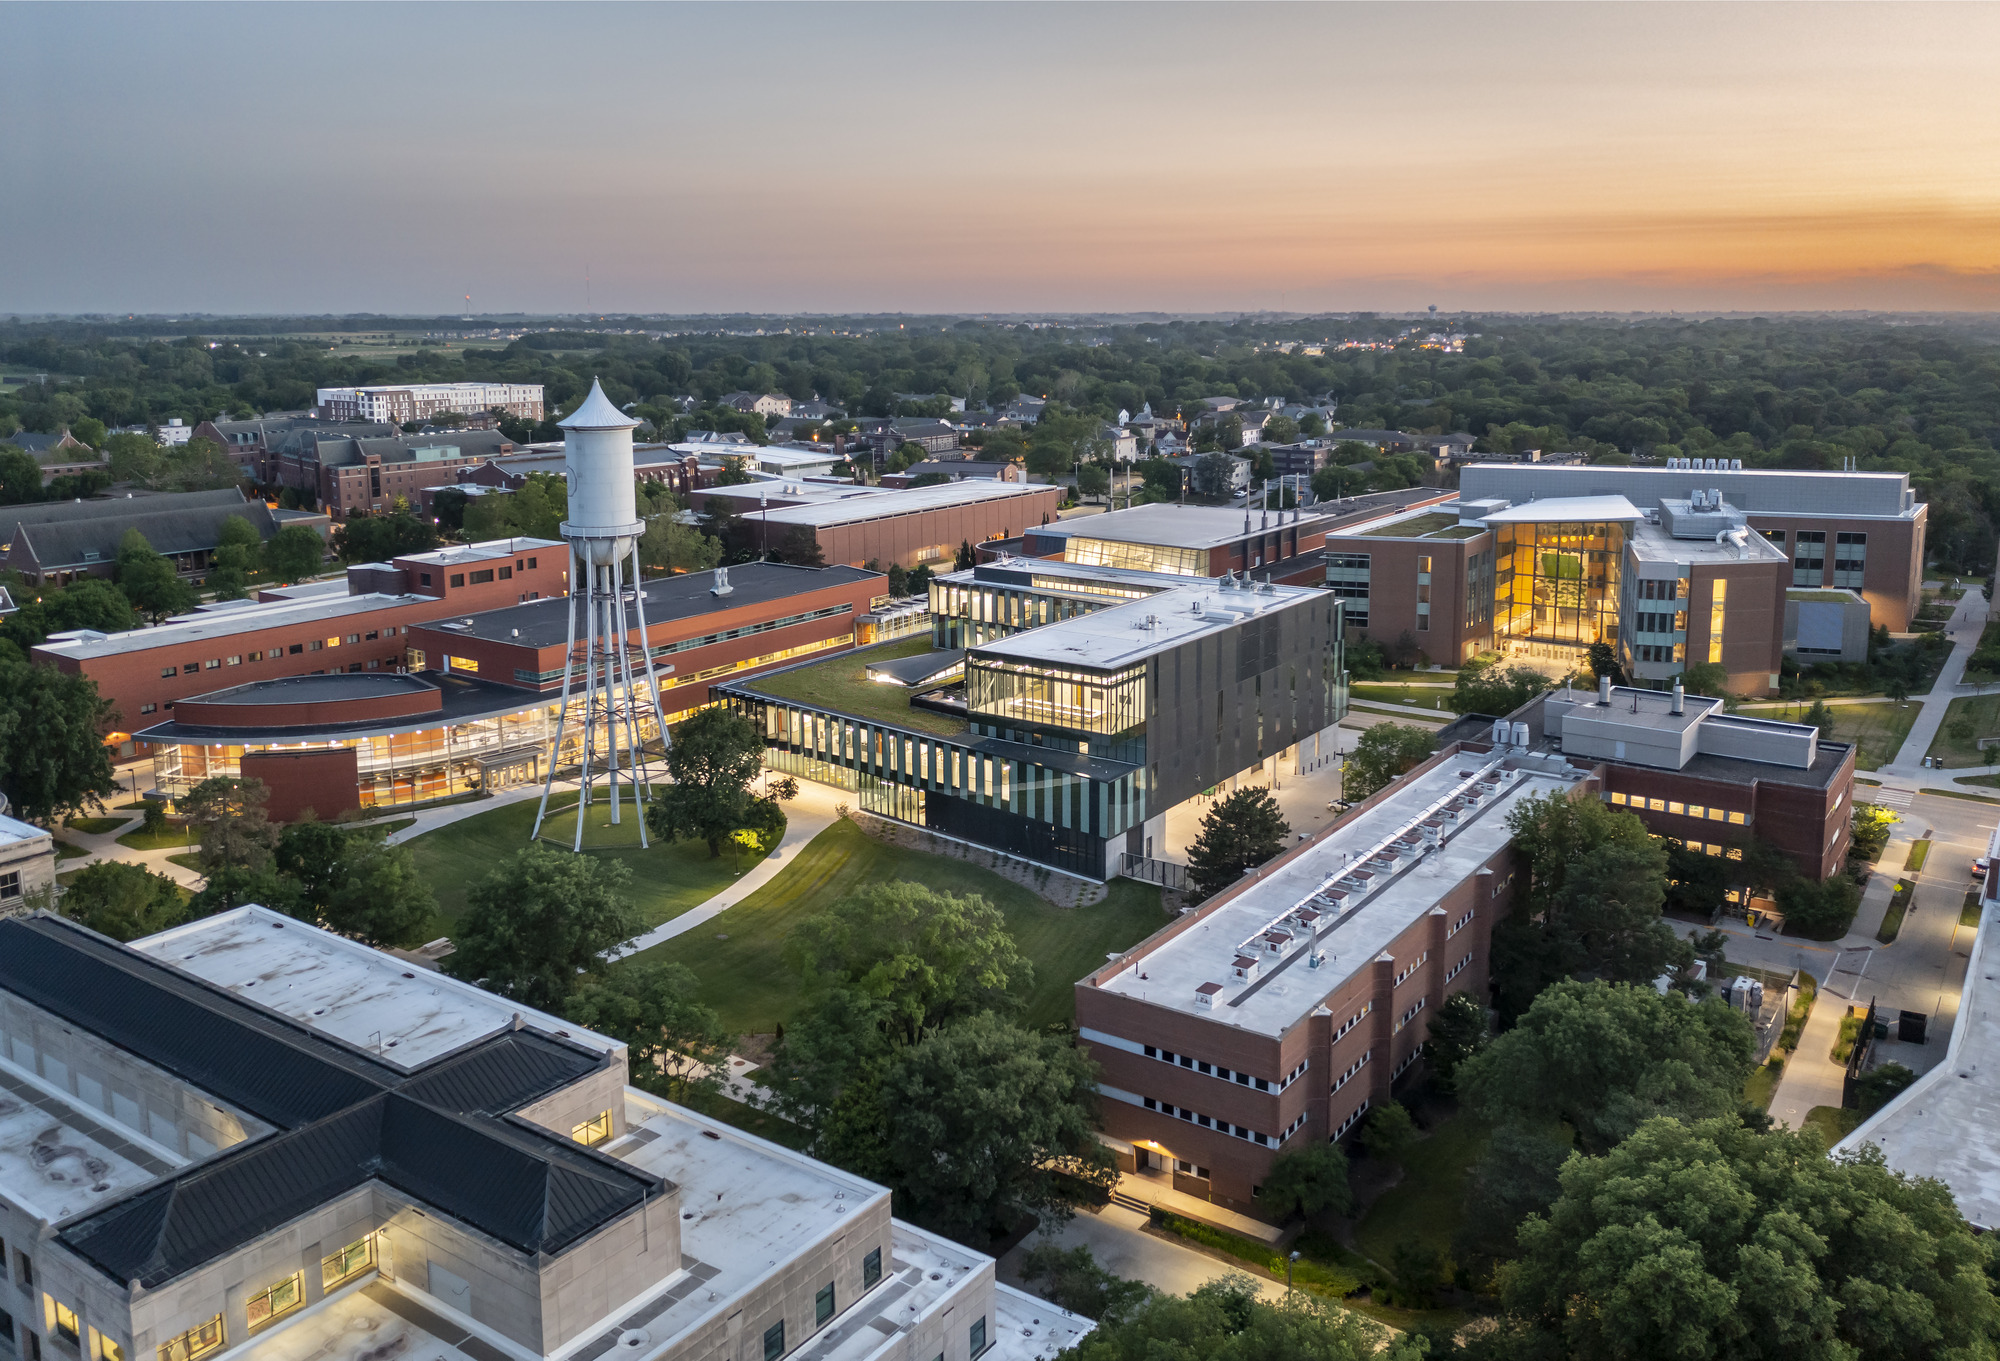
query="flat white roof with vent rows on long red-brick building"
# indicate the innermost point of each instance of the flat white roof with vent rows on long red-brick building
(1357, 924)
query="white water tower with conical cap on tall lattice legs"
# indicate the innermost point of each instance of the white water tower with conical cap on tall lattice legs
(621, 690)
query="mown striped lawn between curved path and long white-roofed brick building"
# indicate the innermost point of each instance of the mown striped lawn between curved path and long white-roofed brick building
(747, 984)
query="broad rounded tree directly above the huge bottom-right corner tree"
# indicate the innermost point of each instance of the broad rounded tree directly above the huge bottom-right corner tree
(1605, 1058)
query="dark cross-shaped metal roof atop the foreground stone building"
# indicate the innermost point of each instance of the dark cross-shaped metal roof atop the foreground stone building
(343, 1118)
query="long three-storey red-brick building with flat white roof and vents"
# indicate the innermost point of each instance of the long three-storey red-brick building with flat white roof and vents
(1283, 1010)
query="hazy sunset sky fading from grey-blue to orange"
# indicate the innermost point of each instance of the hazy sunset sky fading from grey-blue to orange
(957, 157)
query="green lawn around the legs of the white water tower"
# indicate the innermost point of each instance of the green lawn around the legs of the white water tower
(667, 880)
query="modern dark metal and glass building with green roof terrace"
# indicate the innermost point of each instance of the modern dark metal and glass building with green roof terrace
(1065, 708)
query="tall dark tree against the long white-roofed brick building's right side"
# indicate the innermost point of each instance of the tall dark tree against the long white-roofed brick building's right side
(1597, 884)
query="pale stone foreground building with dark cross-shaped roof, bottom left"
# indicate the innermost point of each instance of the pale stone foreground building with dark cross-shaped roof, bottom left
(255, 1140)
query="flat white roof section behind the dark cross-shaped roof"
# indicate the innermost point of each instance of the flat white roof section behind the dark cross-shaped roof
(351, 992)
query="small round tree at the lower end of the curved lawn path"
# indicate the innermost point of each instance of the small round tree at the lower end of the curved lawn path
(677, 1046)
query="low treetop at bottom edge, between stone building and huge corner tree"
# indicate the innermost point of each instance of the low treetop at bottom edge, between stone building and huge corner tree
(1229, 1322)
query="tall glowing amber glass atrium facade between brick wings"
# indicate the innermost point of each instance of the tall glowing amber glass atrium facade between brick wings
(1557, 587)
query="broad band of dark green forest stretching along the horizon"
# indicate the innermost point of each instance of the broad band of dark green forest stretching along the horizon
(1773, 393)
